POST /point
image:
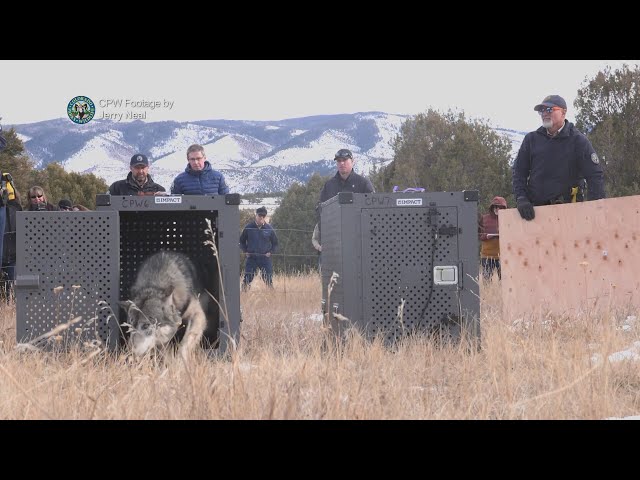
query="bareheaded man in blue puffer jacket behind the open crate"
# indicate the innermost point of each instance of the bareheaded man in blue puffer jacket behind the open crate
(199, 178)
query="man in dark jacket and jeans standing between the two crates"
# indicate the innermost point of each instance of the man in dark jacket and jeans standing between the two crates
(258, 240)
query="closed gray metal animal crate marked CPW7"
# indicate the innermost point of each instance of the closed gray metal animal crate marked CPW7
(406, 262)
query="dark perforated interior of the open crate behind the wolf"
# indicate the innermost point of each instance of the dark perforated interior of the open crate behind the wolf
(144, 233)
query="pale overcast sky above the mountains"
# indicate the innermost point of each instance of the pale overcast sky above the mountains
(500, 91)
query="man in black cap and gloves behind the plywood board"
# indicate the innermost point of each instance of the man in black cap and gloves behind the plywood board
(553, 161)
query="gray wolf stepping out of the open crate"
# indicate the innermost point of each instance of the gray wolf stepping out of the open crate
(165, 296)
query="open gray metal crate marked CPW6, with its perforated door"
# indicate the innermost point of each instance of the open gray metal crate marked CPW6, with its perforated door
(81, 264)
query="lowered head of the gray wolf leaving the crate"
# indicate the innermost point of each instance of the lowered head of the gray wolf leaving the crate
(153, 325)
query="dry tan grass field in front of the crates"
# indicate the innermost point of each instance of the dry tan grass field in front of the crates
(545, 368)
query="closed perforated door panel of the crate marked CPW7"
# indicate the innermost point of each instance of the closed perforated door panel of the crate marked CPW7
(400, 248)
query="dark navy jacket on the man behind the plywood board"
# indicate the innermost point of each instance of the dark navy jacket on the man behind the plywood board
(547, 167)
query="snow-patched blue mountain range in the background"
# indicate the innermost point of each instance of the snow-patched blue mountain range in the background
(254, 156)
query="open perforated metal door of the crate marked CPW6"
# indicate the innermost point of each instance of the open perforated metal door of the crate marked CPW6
(74, 276)
